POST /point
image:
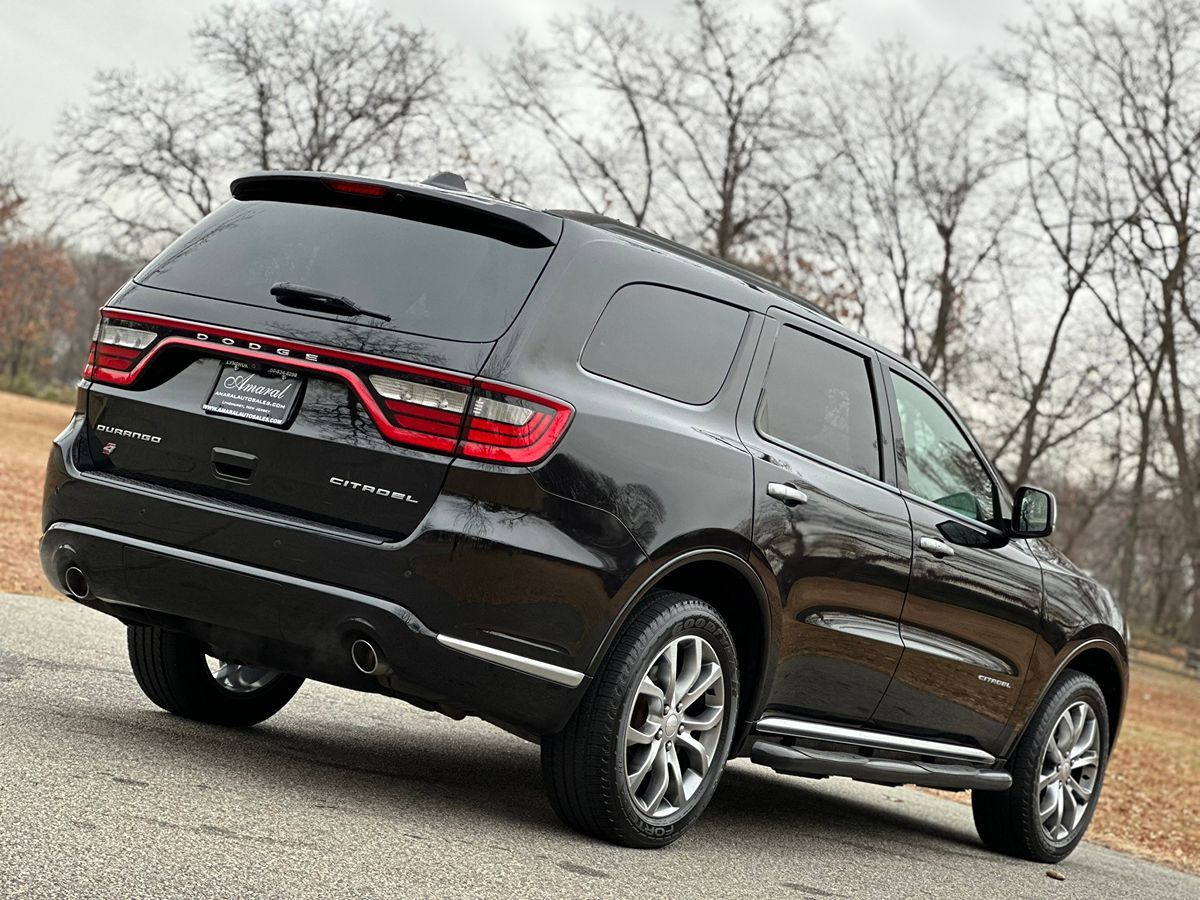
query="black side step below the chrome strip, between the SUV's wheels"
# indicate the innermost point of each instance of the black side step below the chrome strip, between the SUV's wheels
(824, 764)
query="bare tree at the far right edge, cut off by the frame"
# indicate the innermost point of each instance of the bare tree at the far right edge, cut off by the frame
(1131, 77)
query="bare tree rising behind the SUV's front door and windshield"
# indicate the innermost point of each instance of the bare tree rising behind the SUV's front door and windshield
(919, 203)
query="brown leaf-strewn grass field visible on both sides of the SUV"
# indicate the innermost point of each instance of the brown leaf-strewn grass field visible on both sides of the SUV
(1151, 803)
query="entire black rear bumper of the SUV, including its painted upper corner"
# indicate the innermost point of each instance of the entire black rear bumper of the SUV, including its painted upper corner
(491, 609)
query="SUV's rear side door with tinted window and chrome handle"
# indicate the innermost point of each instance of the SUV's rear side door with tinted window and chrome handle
(826, 519)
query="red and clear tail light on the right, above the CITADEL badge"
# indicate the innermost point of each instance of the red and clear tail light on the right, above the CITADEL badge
(482, 421)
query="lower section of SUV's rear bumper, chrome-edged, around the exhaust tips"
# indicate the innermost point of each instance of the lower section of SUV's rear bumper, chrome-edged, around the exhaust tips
(307, 628)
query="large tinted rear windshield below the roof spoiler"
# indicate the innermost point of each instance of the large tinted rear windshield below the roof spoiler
(433, 280)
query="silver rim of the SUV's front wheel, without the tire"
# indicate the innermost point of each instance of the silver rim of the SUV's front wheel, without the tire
(1071, 765)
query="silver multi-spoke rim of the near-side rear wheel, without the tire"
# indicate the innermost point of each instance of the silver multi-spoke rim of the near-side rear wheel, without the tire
(675, 727)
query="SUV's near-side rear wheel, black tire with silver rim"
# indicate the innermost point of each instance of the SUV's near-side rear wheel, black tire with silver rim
(585, 766)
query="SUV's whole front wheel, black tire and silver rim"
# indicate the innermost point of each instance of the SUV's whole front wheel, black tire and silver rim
(1012, 821)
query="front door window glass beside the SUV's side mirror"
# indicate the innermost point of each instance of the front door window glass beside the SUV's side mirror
(941, 465)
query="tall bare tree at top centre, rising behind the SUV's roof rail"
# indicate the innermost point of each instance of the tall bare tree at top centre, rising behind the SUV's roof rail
(694, 134)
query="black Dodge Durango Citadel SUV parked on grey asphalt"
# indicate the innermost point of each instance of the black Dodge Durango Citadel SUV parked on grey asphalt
(620, 499)
